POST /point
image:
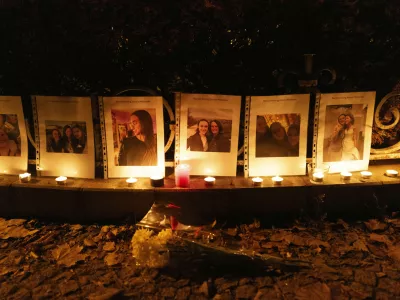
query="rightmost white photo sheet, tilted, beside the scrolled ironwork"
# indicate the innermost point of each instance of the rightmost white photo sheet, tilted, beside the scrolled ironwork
(344, 131)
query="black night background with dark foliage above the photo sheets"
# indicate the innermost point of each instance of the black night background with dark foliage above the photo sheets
(248, 47)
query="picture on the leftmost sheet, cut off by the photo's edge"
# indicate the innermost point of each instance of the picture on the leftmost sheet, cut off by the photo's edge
(10, 139)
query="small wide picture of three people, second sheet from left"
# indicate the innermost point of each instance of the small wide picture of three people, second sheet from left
(66, 137)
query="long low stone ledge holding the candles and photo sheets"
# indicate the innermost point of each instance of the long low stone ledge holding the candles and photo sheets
(101, 200)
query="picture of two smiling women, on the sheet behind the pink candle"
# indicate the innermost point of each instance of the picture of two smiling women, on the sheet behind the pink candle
(209, 130)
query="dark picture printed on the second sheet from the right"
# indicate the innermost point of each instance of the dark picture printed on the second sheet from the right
(277, 135)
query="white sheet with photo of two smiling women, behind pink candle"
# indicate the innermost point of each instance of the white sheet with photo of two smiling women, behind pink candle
(209, 132)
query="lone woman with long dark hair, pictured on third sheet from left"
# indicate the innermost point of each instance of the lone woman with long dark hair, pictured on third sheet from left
(140, 149)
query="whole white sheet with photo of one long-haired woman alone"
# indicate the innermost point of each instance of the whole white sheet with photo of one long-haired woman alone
(134, 130)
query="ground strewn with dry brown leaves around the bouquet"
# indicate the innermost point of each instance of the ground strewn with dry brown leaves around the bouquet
(64, 261)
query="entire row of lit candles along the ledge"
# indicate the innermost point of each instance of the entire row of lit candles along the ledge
(182, 178)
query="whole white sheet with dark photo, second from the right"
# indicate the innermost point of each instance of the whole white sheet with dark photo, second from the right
(277, 135)
